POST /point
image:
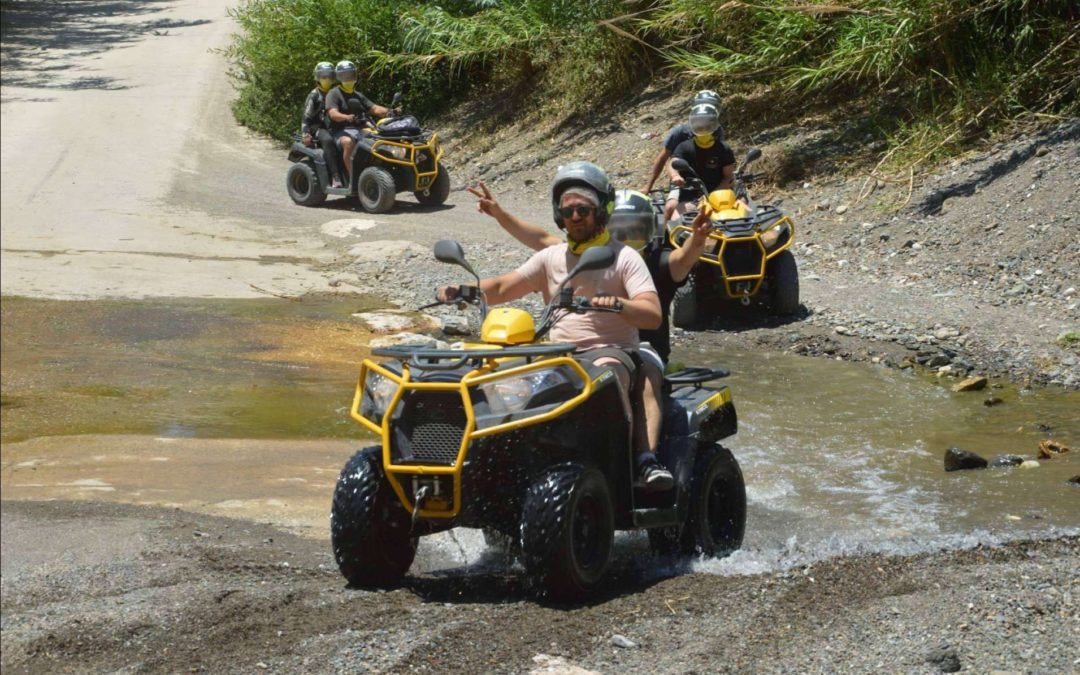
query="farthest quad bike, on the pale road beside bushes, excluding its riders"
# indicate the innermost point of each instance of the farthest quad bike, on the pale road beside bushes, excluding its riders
(393, 156)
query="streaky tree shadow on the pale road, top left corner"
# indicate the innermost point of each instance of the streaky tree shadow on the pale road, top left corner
(42, 38)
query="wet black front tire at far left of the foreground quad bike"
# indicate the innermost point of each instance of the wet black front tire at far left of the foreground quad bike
(370, 529)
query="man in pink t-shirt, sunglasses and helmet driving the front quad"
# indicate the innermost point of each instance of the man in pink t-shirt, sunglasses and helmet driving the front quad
(583, 199)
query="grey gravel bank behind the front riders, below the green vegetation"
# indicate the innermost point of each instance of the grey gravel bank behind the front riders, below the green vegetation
(973, 268)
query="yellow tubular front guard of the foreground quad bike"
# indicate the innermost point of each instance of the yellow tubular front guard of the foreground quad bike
(398, 475)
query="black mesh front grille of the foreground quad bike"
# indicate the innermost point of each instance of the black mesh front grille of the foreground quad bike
(430, 429)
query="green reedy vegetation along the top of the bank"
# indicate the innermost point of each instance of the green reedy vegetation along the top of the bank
(938, 73)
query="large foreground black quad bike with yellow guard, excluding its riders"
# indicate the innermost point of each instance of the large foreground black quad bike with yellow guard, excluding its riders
(517, 437)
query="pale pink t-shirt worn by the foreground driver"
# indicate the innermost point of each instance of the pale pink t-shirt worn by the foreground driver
(628, 278)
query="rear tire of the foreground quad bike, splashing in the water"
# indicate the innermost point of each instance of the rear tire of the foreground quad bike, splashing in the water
(718, 519)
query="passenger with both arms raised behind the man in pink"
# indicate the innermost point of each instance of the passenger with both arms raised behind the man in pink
(633, 222)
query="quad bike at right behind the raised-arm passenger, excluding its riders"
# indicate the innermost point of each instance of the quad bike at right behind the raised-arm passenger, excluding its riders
(749, 259)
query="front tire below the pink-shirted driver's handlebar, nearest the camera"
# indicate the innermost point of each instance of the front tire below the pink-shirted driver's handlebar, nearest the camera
(568, 531)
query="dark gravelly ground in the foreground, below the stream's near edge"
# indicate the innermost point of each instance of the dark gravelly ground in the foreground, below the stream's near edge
(158, 590)
